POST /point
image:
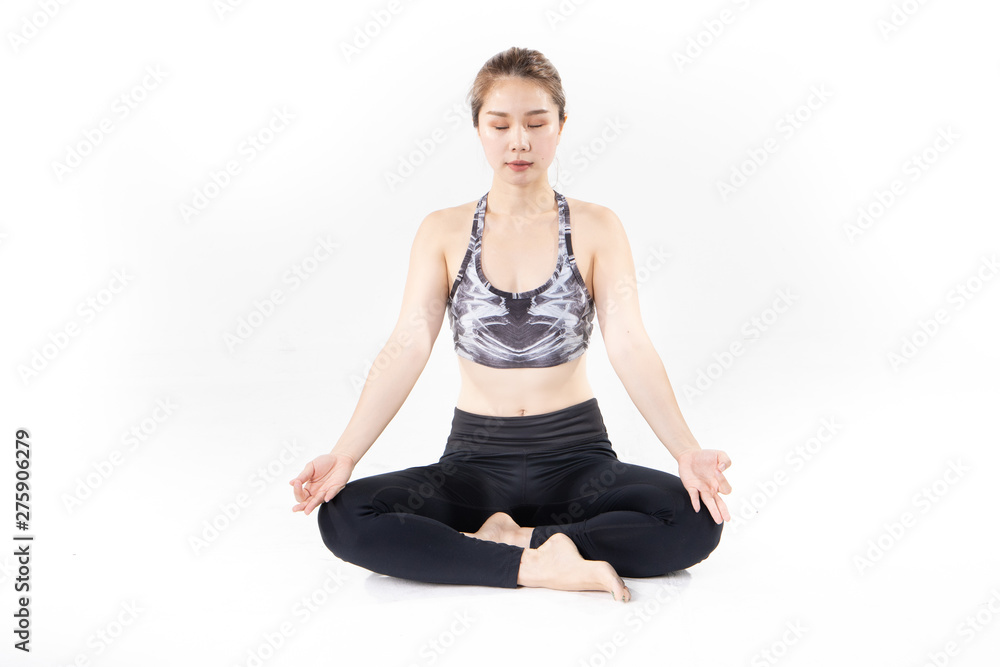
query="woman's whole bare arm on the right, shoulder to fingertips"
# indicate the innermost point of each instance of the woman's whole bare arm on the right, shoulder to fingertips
(641, 370)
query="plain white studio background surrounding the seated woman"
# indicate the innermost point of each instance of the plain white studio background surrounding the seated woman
(283, 395)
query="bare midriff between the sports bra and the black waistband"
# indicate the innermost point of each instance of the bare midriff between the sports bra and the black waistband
(518, 392)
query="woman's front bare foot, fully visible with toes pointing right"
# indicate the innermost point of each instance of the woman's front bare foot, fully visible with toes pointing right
(557, 564)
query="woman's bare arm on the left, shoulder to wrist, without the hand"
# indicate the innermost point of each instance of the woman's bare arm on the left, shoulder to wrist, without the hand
(402, 359)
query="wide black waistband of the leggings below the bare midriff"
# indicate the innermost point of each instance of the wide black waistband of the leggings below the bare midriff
(573, 425)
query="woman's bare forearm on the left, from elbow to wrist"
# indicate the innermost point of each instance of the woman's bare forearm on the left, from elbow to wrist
(389, 382)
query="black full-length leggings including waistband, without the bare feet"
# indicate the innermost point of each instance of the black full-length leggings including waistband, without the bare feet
(554, 471)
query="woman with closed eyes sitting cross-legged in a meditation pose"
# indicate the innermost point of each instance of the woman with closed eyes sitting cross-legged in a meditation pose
(528, 490)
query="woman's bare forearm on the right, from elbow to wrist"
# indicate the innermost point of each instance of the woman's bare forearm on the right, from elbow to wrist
(641, 371)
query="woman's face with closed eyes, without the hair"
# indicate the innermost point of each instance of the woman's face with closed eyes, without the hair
(512, 130)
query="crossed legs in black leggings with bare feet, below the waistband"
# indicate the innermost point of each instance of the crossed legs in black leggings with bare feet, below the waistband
(454, 522)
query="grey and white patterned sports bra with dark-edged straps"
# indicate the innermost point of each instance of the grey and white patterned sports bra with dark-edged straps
(542, 327)
